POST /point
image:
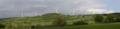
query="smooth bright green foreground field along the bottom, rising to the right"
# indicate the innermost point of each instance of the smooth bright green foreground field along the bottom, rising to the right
(94, 26)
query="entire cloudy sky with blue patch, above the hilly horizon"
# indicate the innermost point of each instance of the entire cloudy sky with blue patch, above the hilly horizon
(13, 8)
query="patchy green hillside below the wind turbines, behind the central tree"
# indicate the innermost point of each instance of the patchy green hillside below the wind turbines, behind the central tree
(46, 19)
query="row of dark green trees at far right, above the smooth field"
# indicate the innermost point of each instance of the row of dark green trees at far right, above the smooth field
(108, 19)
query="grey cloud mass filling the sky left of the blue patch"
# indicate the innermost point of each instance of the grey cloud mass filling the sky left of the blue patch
(13, 8)
